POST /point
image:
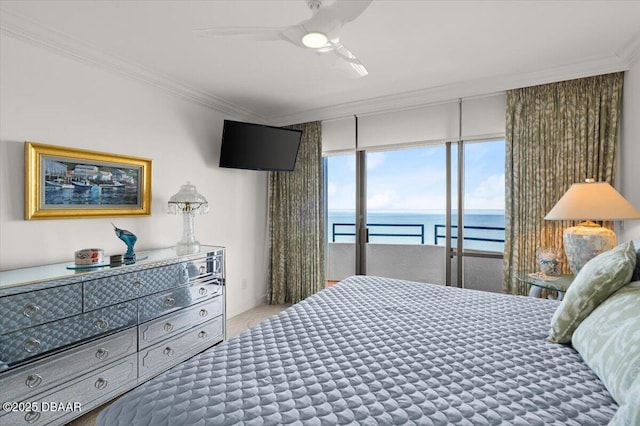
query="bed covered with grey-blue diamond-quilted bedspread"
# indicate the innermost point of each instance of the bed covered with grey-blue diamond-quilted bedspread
(380, 351)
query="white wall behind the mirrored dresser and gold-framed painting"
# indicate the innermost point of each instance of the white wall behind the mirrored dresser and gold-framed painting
(53, 99)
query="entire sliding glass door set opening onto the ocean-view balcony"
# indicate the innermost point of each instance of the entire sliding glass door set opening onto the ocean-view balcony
(393, 213)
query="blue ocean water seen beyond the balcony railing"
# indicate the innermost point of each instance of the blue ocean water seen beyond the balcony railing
(422, 230)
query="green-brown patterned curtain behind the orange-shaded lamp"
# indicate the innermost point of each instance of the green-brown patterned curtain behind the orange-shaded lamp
(556, 135)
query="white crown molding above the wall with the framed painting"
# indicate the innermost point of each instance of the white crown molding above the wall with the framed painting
(27, 30)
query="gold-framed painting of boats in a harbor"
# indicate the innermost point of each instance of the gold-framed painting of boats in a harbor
(75, 183)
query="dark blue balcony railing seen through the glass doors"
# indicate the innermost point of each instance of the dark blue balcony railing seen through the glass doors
(420, 232)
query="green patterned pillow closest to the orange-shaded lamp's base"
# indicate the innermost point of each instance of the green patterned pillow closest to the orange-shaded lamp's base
(597, 280)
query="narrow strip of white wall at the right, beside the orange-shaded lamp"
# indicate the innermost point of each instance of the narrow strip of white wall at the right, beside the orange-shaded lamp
(629, 159)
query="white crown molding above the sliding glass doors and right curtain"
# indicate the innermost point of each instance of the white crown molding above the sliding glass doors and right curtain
(466, 89)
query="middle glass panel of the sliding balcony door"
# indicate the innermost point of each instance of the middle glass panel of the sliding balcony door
(405, 205)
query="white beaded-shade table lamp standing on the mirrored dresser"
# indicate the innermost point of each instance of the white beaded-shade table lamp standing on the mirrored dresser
(188, 202)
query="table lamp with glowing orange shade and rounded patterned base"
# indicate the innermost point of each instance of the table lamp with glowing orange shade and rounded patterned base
(590, 201)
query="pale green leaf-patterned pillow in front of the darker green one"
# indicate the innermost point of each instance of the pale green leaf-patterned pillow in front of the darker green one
(609, 342)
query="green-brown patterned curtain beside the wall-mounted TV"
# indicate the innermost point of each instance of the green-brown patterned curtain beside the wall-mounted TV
(296, 223)
